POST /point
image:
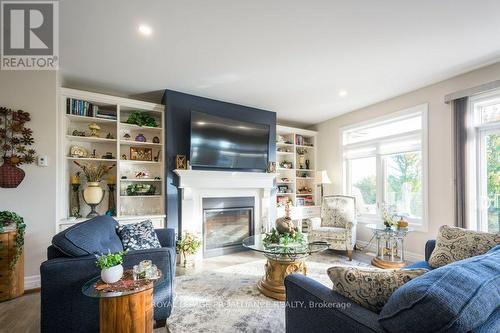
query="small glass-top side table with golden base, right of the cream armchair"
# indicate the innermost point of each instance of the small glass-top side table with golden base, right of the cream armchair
(390, 246)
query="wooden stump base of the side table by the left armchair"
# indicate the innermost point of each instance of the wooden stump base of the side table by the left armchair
(131, 313)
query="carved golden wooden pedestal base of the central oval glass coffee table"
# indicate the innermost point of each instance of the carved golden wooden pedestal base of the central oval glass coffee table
(272, 283)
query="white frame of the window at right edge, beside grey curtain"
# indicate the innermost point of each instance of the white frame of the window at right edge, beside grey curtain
(476, 174)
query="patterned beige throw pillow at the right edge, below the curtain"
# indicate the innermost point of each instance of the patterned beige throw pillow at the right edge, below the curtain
(454, 244)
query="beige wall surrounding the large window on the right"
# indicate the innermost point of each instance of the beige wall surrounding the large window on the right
(440, 146)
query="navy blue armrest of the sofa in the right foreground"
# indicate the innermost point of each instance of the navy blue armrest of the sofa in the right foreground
(314, 308)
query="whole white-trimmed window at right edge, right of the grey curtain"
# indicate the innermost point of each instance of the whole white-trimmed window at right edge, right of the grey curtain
(486, 173)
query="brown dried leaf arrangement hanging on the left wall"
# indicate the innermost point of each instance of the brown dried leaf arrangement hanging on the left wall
(15, 137)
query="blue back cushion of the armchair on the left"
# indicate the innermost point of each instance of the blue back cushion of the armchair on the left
(94, 236)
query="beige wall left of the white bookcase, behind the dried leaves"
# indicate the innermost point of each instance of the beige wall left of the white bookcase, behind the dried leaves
(35, 199)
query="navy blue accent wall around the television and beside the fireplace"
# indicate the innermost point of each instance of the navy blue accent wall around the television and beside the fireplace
(178, 124)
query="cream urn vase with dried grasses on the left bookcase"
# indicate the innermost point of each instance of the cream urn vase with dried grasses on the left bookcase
(93, 193)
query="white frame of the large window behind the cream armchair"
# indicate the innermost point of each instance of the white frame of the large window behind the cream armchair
(422, 109)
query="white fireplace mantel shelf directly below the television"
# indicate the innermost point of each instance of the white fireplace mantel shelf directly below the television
(224, 179)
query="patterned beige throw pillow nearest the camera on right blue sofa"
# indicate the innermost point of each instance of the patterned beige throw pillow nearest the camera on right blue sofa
(370, 287)
